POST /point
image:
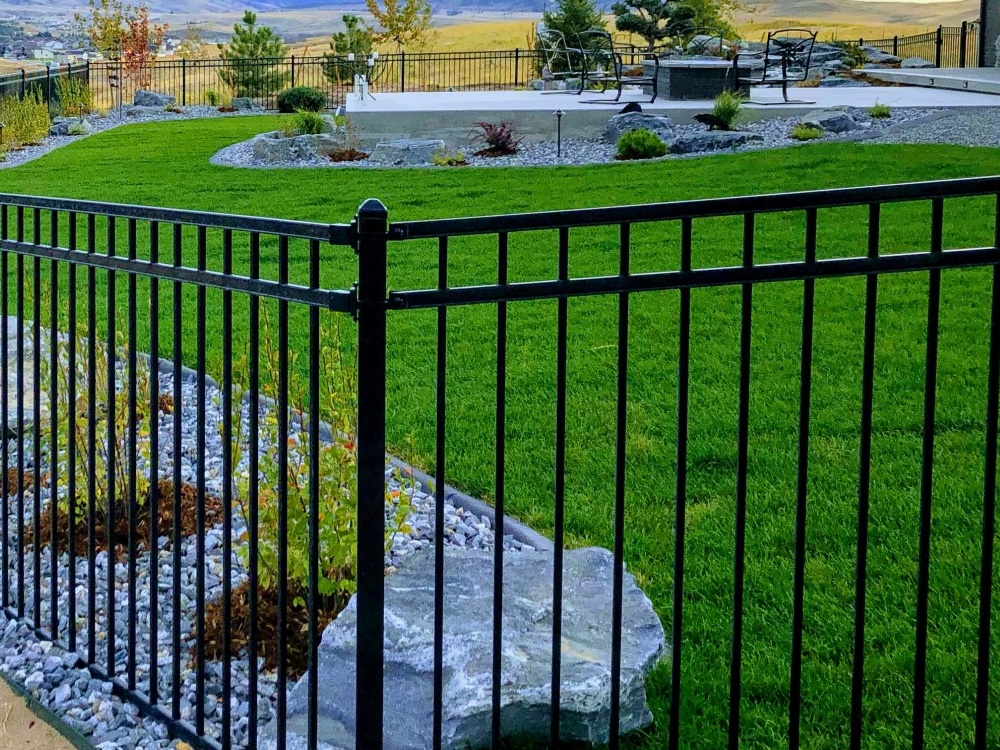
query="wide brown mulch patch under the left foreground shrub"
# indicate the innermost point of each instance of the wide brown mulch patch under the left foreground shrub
(165, 522)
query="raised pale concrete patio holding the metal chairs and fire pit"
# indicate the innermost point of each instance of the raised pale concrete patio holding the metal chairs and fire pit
(450, 115)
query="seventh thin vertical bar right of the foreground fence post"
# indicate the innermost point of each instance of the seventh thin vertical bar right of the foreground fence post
(798, 584)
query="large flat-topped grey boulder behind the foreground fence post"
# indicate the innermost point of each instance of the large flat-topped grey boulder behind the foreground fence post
(468, 651)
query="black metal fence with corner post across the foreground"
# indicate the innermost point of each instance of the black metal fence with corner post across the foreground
(93, 285)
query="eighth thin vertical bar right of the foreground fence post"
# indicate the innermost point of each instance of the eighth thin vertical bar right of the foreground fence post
(864, 482)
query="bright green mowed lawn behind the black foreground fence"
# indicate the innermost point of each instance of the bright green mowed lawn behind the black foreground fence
(167, 165)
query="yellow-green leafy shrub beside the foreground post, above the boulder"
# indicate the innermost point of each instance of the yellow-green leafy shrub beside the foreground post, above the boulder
(338, 492)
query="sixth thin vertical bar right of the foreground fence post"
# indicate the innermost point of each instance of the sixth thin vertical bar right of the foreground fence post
(739, 552)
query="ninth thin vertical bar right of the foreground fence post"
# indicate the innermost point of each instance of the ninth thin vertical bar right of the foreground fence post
(926, 482)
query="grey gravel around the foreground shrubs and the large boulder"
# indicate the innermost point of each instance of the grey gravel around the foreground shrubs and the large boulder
(57, 679)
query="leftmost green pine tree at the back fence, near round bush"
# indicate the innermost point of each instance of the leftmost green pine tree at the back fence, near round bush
(252, 60)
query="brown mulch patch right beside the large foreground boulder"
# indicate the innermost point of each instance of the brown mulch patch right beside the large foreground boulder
(296, 626)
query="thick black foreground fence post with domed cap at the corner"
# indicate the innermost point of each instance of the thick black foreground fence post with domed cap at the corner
(371, 224)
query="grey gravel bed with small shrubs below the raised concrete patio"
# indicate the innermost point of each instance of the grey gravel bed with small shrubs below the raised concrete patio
(575, 152)
